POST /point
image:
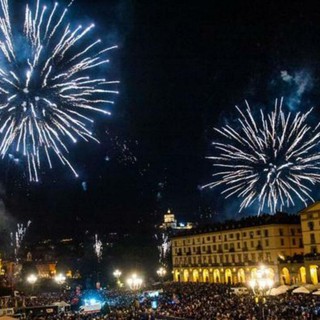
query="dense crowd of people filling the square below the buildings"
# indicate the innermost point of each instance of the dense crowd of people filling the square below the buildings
(196, 301)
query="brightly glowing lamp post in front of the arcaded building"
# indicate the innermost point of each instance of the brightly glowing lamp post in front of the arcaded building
(260, 284)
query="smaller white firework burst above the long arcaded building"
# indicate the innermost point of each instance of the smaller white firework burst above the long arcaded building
(271, 160)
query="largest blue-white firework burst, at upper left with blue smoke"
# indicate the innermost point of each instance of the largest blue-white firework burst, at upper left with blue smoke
(48, 84)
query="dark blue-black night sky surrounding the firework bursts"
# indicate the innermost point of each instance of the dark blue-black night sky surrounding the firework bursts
(183, 66)
